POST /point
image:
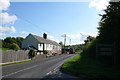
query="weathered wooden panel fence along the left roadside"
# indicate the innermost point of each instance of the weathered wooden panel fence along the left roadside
(11, 55)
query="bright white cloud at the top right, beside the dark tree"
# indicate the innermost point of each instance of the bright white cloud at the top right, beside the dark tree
(99, 4)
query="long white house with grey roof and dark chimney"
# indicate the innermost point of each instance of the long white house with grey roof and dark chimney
(41, 43)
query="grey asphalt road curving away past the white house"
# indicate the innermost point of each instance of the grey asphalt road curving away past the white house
(40, 68)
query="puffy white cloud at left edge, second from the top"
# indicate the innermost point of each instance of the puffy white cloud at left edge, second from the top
(5, 18)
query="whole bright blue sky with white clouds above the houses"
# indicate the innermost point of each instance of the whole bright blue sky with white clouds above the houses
(76, 19)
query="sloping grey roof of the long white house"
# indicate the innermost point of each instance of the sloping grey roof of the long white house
(42, 40)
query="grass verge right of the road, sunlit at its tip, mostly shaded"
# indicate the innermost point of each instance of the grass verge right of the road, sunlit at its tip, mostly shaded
(83, 66)
